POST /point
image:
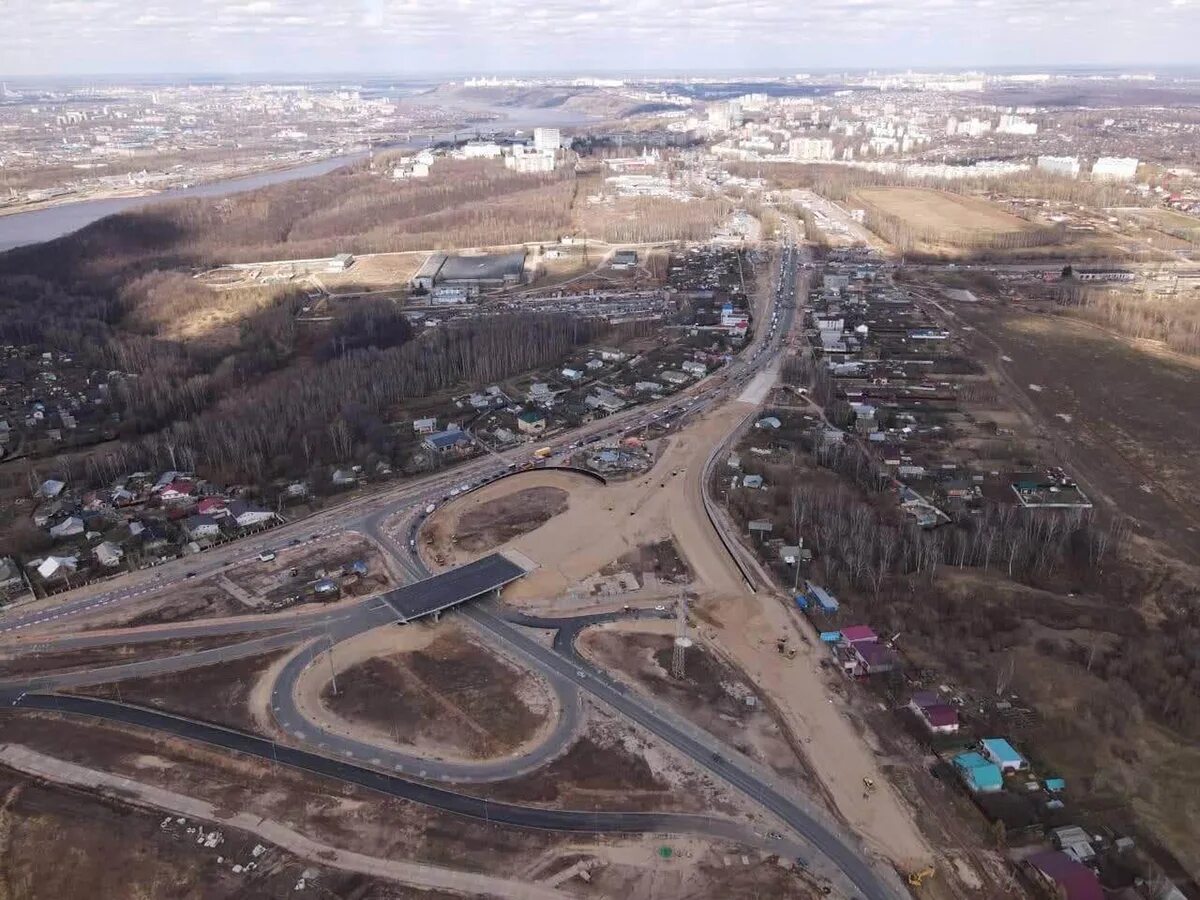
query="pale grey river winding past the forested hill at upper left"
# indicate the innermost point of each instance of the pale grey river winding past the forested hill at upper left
(44, 225)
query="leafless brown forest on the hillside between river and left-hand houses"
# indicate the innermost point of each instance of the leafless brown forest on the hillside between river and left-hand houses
(229, 383)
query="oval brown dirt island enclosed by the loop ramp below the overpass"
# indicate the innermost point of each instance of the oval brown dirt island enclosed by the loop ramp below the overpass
(437, 692)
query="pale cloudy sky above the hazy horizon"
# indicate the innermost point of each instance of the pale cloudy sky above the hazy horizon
(464, 37)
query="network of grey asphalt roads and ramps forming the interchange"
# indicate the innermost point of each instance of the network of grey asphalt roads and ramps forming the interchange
(568, 674)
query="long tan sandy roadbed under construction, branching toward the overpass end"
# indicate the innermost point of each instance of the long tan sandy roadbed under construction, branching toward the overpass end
(605, 523)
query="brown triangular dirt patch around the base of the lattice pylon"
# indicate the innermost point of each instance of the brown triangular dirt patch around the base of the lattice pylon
(712, 694)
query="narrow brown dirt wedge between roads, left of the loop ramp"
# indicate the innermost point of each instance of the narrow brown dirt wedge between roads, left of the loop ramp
(218, 694)
